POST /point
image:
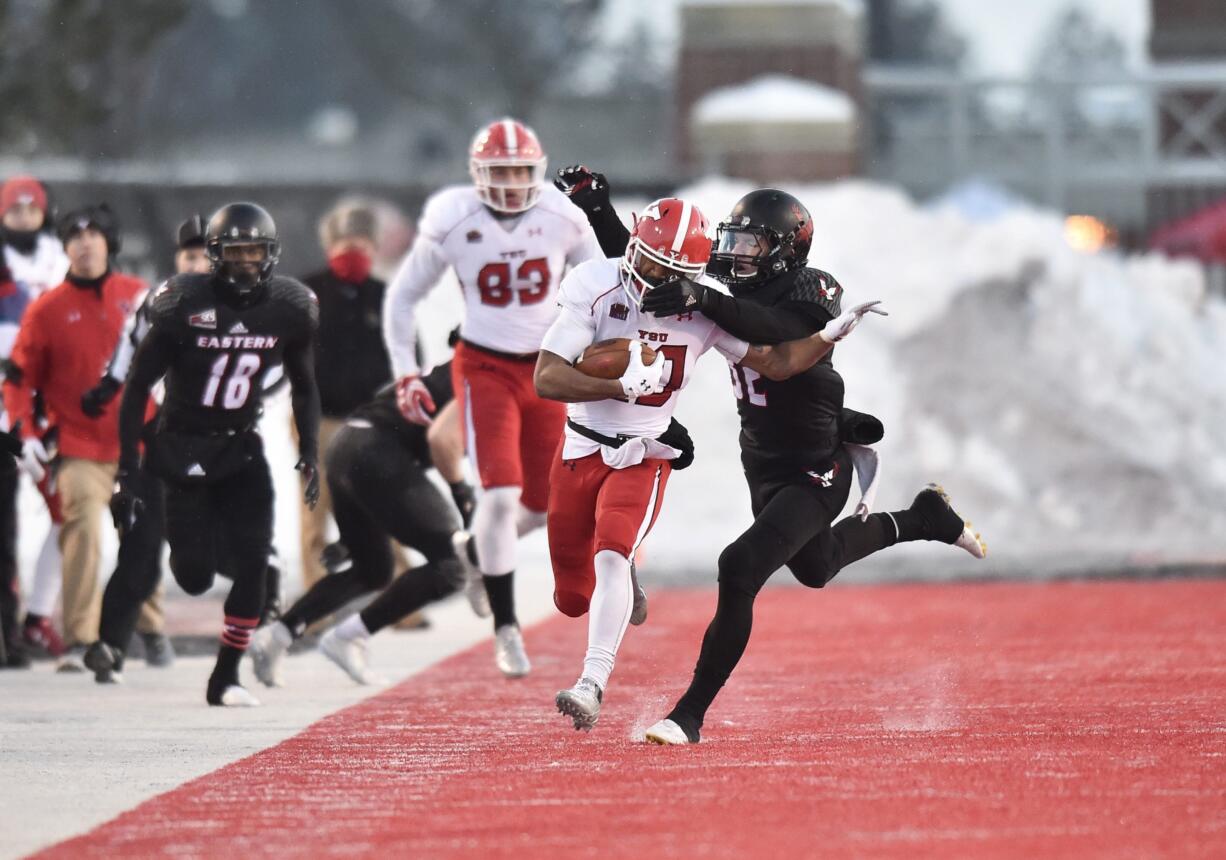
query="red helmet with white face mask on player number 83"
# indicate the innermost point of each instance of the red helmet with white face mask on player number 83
(496, 153)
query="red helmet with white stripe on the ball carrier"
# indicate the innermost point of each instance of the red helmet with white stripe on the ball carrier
(671, 236)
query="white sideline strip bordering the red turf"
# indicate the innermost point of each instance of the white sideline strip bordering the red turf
(75, 755)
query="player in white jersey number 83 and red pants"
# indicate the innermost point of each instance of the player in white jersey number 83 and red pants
(509, 237)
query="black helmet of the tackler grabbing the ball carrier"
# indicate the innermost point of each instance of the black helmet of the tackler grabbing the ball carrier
(768, 234)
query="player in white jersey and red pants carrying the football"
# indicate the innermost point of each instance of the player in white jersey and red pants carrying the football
(621, 442)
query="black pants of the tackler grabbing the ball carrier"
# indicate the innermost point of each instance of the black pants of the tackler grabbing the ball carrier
(793, 527)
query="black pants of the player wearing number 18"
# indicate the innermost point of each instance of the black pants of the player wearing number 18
(224, 527)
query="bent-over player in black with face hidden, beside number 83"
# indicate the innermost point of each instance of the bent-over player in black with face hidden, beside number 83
(377, 473)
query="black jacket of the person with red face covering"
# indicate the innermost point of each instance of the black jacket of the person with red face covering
(351, 360)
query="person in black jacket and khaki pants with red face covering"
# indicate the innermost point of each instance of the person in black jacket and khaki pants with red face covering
(351, 361)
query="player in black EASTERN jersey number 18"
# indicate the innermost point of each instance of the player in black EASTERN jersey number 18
(214, 338)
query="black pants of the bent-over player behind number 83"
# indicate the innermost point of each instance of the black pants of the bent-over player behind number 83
(381, 490)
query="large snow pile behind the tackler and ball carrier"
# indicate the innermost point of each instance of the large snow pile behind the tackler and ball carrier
(1075, 405)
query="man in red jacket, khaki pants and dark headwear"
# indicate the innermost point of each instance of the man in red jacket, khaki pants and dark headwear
(66, 340)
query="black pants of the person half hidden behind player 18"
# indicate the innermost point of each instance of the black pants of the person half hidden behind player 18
(139, 566)
